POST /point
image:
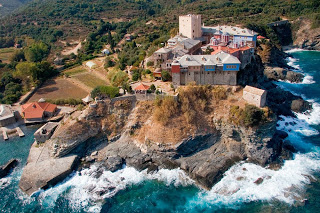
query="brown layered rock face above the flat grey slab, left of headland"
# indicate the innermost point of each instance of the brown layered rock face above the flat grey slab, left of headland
(106, 118)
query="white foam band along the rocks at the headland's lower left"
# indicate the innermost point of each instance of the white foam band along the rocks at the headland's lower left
(87, 189)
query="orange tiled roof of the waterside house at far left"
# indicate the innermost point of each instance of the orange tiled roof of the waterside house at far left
(36, 109)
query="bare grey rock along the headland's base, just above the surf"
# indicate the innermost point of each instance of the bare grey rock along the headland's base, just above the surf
(205, 157)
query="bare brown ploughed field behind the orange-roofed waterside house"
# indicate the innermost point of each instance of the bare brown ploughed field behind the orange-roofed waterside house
(59, 89)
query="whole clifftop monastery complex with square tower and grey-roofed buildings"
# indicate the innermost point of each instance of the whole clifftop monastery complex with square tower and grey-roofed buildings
(206, 55)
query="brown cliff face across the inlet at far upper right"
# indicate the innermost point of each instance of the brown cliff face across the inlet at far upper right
(306, 37)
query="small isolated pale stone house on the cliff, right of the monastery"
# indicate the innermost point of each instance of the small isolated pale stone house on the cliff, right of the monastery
(255, 96)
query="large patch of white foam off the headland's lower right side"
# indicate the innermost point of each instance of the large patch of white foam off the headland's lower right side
(238, 184)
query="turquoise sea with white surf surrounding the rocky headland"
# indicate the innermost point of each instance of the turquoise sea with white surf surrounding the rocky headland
(295, 187)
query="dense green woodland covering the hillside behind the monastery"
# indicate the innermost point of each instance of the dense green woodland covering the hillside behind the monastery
(40, 25)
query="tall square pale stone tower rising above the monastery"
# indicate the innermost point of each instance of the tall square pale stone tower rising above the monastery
(190, 26)
